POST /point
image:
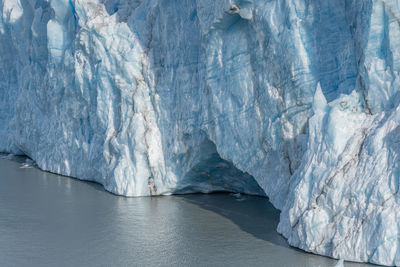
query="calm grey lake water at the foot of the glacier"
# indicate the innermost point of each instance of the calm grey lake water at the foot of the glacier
(51, 220)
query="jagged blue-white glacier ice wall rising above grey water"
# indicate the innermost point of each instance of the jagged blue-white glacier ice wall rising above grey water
(295, 99)
